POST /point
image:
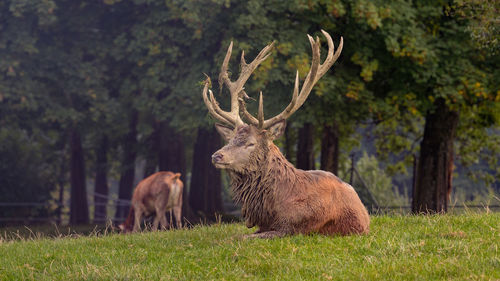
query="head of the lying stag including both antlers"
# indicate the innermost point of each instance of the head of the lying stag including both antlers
(248, 143)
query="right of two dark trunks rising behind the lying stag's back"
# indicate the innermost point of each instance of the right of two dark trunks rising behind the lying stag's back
(330, 148)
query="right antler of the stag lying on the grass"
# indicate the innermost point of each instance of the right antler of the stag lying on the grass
(316, 71)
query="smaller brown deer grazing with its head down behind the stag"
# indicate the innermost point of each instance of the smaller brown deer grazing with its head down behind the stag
(156, 194)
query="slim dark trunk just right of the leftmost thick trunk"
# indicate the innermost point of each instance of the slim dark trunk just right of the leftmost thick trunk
(101, 181)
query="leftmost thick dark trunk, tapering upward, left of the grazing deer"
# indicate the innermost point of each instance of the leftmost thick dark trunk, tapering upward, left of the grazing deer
(79, 210)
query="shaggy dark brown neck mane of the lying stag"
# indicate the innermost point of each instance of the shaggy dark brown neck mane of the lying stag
(254, 190)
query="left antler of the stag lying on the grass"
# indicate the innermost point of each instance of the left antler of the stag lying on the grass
(236, 88)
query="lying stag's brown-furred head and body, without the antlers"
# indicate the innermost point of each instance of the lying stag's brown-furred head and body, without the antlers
(280, 199)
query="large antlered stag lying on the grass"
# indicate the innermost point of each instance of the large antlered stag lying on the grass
(275, 196)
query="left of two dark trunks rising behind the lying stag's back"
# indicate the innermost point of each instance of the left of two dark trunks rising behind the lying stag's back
(305, 147)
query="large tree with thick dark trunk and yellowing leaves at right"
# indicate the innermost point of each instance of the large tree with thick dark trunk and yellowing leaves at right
(430, 68)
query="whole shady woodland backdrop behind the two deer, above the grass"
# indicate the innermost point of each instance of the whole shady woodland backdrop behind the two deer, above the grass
(96, 95)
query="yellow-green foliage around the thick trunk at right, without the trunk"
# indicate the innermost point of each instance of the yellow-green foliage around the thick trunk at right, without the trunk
(415, 54)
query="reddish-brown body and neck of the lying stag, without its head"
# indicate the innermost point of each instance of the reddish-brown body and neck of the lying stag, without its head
(298, 201)
